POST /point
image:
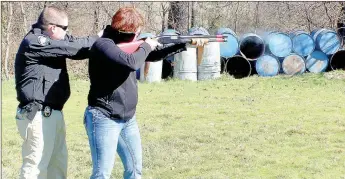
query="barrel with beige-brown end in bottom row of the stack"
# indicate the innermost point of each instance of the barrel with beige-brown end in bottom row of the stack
(293, 64)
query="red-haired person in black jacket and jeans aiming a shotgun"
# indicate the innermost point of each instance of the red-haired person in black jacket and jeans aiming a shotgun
(109, 118)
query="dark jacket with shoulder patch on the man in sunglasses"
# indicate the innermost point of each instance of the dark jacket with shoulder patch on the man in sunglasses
(40, 67)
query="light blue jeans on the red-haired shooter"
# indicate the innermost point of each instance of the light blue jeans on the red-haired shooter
(106, 136)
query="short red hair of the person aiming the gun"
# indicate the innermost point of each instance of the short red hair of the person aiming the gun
(127, 19)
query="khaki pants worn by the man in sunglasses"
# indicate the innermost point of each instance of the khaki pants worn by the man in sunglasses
(44, 149)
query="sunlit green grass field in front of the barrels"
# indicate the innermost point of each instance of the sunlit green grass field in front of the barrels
(280, 127)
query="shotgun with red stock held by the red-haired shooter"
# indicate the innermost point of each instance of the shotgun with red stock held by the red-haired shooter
(172, 39)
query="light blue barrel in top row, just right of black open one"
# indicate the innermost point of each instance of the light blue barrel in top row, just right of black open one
(279, 44)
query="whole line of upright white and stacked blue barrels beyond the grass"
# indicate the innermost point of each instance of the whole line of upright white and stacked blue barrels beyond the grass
(265, 54)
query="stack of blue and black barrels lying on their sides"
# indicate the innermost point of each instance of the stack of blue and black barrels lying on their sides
(276, 52)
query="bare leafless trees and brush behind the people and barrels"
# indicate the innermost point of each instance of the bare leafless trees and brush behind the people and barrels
(86, 18)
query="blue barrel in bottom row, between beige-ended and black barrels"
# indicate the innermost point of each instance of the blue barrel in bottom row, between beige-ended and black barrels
(317, 62)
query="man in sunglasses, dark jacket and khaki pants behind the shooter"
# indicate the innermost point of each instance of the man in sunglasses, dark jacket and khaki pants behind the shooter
(42, 87)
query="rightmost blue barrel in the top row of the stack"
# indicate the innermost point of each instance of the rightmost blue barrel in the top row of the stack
(326, 40)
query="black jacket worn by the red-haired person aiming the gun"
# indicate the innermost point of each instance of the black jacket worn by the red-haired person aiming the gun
(112, 74)
